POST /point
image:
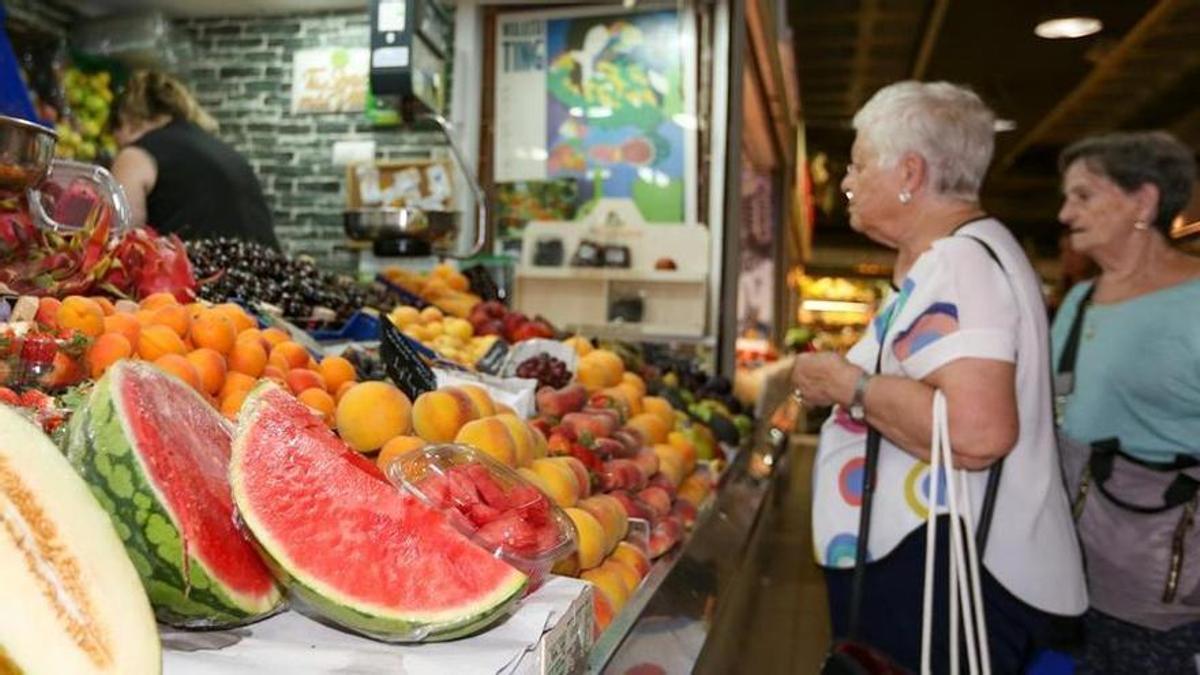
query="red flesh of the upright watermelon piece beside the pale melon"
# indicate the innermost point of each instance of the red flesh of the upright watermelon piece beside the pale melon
(184, 446)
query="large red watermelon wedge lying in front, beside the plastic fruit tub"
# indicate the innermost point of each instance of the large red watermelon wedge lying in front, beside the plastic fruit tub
(357, 549)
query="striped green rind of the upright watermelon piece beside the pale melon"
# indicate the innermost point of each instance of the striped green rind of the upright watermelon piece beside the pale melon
(101, 452)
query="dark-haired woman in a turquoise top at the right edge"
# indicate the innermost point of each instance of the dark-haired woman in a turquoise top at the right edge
(1137, 372)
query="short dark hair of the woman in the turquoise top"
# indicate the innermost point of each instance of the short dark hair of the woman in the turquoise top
(1132, 159)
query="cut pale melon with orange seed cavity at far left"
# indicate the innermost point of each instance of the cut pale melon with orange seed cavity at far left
(73, 600)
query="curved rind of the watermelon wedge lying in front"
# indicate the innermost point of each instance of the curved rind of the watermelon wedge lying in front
(328, 604)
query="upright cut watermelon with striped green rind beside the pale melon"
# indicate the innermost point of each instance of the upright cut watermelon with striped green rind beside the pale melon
(157, 456)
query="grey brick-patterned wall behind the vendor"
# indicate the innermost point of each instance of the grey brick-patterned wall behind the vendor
(243, 76)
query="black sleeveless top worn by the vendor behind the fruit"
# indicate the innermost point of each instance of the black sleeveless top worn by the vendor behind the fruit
(205, 188)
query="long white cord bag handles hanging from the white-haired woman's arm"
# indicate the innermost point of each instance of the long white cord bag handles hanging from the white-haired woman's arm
(965, 594)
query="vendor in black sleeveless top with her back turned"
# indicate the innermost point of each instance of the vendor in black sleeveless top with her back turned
(178, 177)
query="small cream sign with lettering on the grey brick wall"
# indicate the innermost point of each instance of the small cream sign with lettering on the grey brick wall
(331, 80)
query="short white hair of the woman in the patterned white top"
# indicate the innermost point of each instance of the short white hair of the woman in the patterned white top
(949, 126)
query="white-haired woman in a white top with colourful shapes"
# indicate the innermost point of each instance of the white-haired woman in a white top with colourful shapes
(967, 318)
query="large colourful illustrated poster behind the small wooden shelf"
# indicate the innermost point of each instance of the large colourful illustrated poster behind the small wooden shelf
(598, 98)
